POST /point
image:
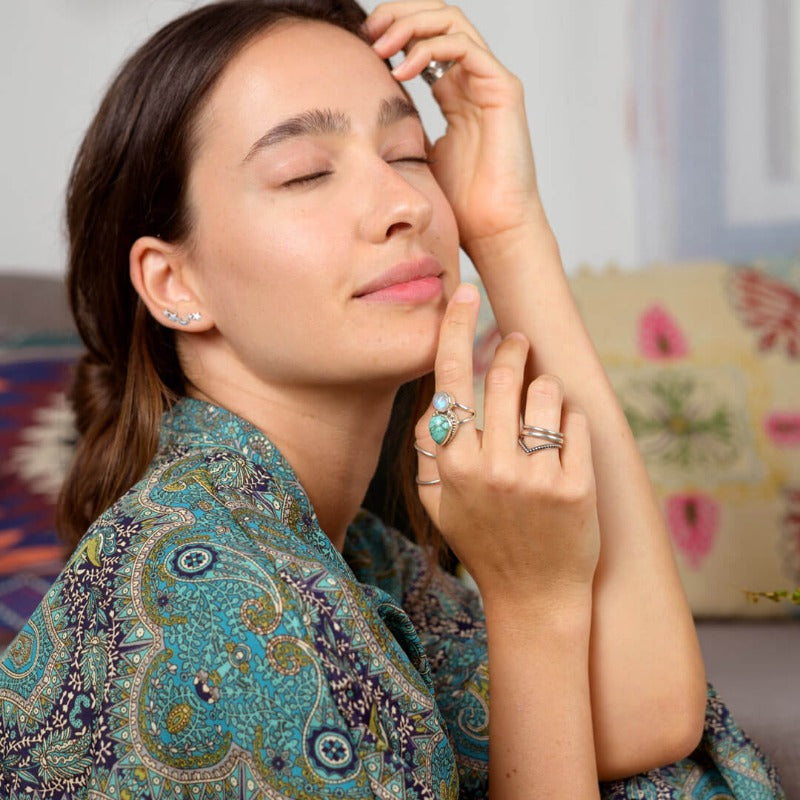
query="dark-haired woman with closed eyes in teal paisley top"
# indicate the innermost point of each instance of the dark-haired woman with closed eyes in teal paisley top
(263, 250)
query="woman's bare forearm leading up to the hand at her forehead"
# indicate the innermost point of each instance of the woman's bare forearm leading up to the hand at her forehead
(644, 651)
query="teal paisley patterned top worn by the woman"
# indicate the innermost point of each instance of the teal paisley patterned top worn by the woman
(206, 640)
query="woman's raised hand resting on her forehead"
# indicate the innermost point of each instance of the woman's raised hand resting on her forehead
(484, 161)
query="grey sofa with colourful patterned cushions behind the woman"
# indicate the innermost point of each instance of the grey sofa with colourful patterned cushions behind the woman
(700, 335)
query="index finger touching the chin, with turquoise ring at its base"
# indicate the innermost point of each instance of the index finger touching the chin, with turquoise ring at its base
(453, 368)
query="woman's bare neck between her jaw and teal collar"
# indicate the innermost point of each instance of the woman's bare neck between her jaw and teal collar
(331, 439)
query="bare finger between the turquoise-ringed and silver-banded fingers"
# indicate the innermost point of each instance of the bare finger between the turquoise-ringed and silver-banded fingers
(503, 389)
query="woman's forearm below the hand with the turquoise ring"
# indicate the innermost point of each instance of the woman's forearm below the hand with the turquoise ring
(540, 725)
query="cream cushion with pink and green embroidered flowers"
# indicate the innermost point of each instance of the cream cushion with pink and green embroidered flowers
(705, 358)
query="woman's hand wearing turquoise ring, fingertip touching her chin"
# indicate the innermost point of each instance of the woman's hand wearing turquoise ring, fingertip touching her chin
(524, 526)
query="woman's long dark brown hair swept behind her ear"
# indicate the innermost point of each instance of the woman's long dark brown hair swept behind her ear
(129, 180)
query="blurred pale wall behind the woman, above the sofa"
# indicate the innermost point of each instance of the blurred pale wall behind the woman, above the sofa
(663, 129)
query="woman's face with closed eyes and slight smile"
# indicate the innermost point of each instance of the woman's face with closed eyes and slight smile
(323, 248)
